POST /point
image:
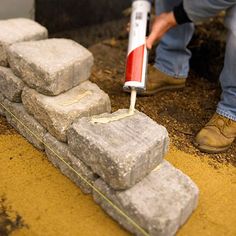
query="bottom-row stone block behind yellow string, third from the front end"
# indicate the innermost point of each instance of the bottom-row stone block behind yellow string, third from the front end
(18, 111)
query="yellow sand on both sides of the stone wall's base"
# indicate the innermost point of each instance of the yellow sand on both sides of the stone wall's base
(50, 204)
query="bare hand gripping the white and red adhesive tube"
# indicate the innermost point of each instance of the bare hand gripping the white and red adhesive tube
(160, 26)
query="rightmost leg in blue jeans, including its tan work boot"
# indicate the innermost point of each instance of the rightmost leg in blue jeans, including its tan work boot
(220, 132)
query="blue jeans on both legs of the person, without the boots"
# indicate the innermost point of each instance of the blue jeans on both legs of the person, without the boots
(172, 55)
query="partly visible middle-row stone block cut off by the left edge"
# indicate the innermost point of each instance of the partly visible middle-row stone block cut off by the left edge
(10, 85)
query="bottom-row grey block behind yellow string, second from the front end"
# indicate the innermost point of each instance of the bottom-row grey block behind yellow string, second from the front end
(56, 150)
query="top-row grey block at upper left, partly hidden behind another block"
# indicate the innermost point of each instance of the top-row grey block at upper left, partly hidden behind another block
(18, 30)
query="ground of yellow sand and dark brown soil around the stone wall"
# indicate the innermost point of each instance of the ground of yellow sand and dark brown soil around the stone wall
(35, 199)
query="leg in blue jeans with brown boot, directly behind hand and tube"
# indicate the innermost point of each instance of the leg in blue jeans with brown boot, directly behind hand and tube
(171, 65)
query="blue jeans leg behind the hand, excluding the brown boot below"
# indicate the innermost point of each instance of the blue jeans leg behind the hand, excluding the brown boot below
(172, 55)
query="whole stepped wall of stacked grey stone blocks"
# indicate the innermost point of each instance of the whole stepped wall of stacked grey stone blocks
(46, 95)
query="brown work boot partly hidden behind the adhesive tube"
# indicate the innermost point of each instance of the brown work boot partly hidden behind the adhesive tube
(159, 81)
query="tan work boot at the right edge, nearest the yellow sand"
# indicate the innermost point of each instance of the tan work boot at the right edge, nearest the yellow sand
(217, 136)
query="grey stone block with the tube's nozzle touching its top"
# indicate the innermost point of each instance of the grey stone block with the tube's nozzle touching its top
(121, 152)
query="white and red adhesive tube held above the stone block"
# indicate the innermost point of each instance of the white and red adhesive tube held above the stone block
(137, 58)
